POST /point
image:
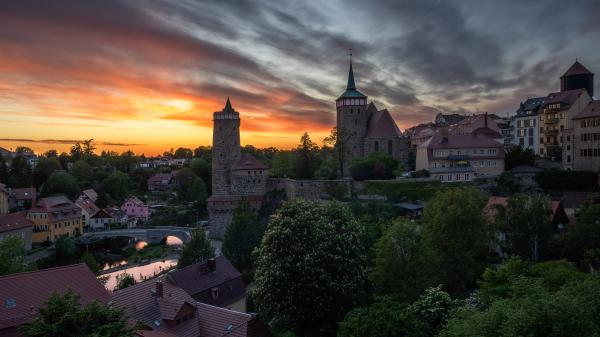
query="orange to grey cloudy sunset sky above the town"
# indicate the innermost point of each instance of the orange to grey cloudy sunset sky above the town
(147, 75)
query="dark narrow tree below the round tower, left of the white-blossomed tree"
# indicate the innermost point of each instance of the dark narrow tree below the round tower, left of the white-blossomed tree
(242, 236)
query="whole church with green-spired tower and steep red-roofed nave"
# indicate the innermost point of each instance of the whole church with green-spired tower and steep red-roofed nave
(365, 129)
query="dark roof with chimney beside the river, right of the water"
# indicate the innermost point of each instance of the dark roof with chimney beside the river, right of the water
(198, 280)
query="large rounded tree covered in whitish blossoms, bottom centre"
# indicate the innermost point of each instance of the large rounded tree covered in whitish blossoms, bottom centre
(310, 267)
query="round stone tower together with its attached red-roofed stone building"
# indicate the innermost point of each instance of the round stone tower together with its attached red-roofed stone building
(235, 176)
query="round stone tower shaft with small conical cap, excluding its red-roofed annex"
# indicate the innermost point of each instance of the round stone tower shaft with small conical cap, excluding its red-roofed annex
(226, 148)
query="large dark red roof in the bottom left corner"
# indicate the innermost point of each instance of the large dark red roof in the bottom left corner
(21, 294)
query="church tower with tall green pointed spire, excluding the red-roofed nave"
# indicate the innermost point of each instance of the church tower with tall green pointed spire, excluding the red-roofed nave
(352, 120)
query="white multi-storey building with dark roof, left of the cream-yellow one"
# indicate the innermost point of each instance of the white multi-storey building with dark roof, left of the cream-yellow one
(525, 124)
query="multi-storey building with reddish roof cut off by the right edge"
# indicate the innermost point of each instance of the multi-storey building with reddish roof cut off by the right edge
(586, 138)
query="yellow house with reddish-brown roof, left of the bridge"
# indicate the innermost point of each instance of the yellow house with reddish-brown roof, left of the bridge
(54, 217)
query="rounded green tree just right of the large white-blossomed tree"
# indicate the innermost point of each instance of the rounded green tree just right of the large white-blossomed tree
(404, 263)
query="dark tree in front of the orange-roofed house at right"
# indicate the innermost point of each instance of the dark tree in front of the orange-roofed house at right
(526, 222)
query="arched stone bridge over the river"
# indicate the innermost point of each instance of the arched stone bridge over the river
(150, 234)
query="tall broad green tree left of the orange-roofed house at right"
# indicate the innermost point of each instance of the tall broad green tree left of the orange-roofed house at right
(455, 228)
